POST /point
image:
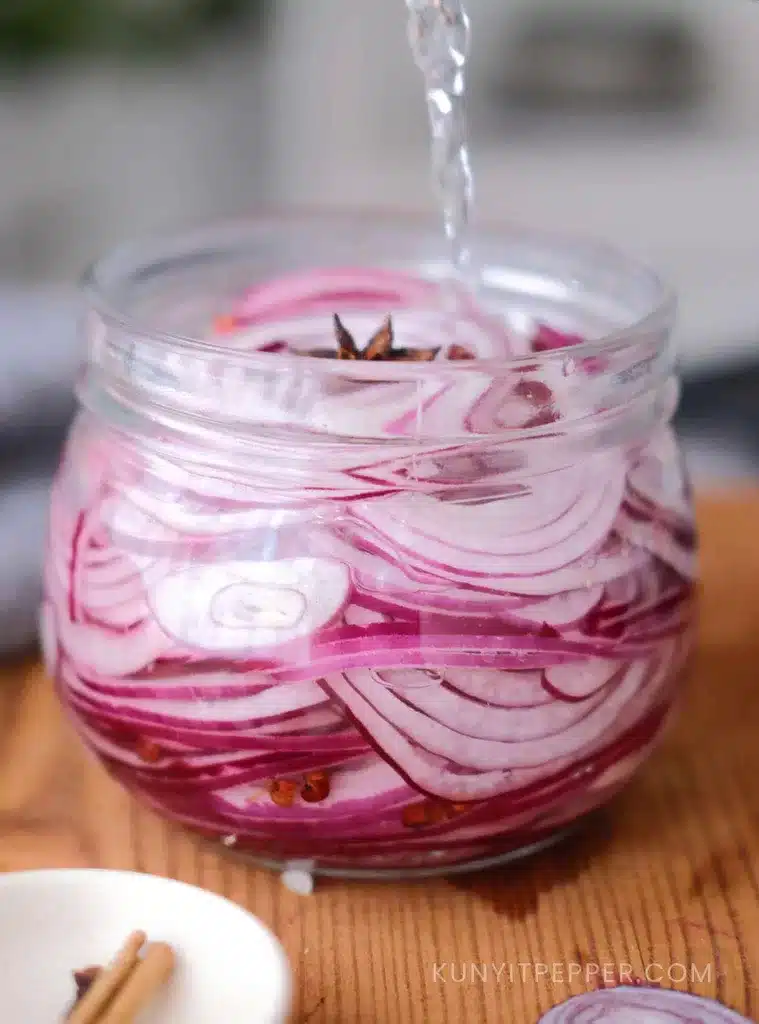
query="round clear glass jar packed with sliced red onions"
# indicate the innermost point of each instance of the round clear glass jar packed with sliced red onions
(392, 616)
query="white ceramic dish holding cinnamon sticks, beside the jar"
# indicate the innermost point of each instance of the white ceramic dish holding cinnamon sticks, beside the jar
(231, 968)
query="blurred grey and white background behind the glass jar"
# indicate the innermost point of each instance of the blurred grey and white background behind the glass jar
(635, 121)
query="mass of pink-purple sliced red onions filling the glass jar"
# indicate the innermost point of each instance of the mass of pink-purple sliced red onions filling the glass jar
(472, 647)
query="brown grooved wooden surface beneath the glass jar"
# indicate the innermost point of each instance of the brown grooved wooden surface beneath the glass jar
(664, 886)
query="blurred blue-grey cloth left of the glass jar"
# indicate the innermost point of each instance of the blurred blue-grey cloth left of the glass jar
(40, 355)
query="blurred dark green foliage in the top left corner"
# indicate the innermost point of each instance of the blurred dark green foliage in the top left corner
(35, 32)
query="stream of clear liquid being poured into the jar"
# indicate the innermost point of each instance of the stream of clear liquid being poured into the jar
(440, 36)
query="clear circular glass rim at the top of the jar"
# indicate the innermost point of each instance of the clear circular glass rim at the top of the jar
(101, 280)
